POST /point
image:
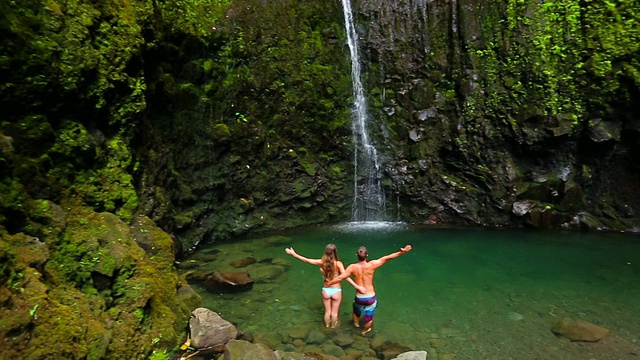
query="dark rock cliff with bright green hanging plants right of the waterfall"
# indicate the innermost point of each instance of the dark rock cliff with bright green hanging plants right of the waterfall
(483, 105)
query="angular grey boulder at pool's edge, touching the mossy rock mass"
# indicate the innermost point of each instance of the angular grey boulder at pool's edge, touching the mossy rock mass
(208, 330)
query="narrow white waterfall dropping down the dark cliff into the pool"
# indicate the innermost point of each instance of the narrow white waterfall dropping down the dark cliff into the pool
(369, 198)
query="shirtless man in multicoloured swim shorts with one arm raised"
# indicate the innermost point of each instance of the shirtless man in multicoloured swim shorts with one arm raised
(363, 271)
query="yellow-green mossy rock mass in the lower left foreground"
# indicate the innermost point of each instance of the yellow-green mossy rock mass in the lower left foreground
(92, 292)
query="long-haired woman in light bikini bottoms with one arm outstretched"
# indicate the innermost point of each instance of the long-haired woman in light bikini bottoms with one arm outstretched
(330, 267)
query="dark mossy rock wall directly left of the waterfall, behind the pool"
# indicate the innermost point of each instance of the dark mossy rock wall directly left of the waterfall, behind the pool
(248, 127)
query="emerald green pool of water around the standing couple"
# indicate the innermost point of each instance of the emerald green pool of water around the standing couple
(460, 294)
